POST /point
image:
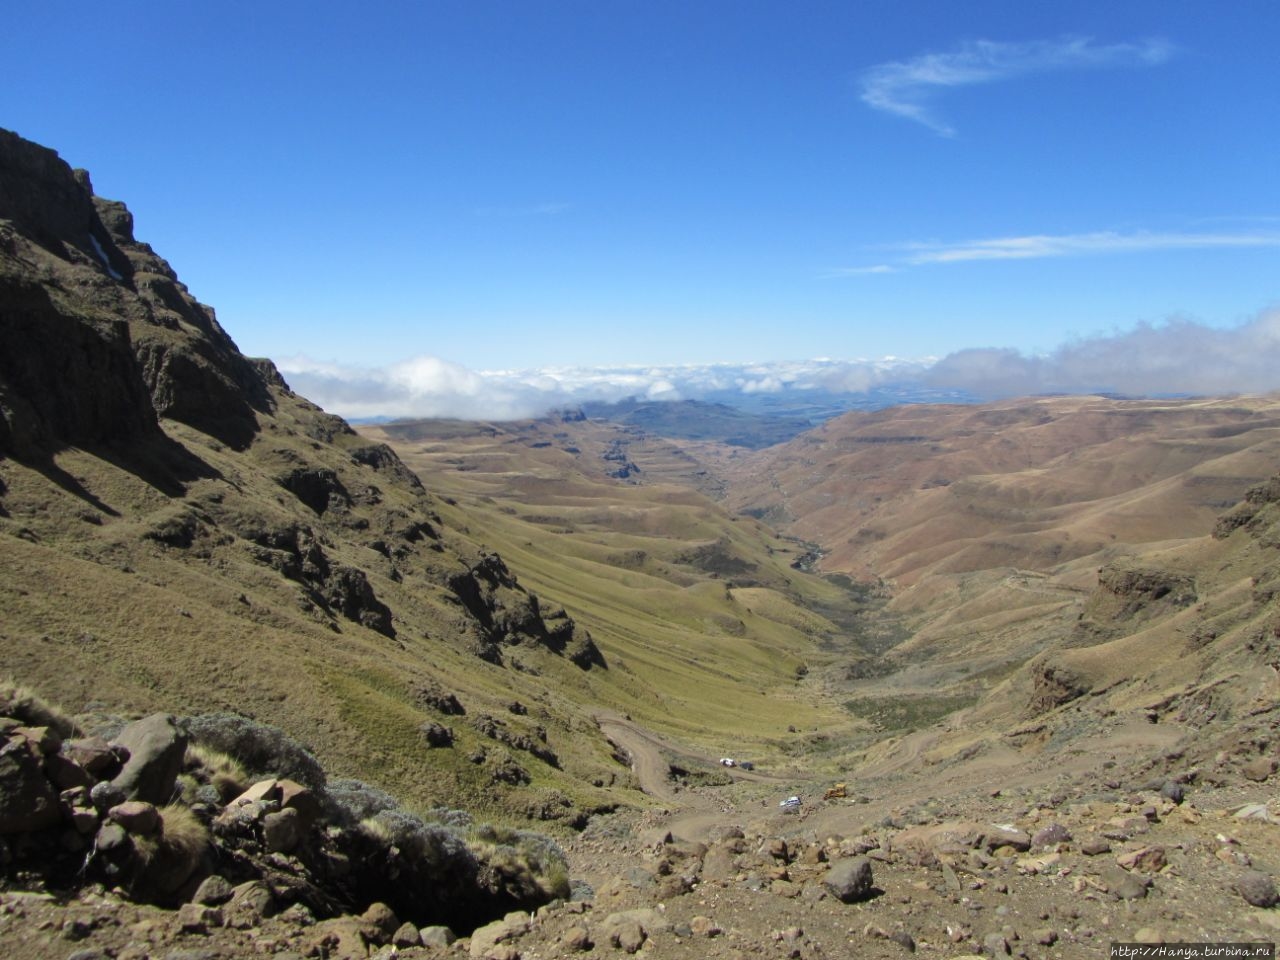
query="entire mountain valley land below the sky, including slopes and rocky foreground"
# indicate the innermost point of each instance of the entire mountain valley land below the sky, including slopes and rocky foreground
(511, 656)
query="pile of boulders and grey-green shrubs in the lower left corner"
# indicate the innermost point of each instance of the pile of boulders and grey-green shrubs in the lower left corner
(275, 845)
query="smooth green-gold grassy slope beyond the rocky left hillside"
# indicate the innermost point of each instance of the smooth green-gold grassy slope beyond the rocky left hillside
(721, 639)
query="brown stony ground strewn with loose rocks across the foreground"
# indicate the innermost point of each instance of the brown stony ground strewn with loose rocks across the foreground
(1174, 847)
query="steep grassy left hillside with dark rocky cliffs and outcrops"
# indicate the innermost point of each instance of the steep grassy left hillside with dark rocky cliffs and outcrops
(180, 532)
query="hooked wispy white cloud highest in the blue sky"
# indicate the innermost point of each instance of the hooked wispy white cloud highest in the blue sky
(908, 88)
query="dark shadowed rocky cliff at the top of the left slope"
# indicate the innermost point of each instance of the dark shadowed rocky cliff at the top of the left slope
(98, 337)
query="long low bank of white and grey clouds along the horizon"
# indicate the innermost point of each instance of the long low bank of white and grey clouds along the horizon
(1174, 358)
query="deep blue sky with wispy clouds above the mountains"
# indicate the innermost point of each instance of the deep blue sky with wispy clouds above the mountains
(450, 189)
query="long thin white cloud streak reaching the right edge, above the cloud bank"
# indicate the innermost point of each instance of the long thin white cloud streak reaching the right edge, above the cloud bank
(1041, 246)
